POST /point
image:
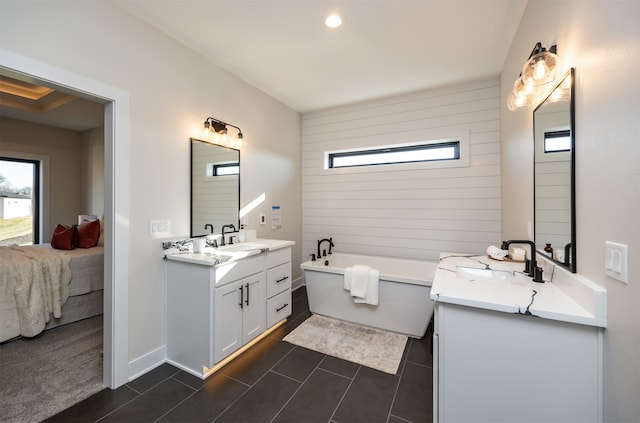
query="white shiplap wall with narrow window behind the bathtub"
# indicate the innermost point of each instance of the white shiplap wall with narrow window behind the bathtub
(414, 213)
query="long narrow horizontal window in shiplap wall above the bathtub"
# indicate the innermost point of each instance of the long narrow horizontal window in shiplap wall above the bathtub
(449, 150)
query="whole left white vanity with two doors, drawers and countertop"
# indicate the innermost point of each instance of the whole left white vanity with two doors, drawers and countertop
(215, 309)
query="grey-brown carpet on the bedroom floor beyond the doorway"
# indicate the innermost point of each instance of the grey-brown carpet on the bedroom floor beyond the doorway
(43, 375)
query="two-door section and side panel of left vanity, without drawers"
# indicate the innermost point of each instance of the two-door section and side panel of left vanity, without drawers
(205, 321)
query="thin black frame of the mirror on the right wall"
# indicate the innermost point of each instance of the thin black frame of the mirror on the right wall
(570, 261)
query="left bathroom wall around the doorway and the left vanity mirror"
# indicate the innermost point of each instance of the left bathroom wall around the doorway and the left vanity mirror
(171, 91)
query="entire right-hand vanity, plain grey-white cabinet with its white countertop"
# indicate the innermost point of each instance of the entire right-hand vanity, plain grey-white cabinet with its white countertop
(516, 350)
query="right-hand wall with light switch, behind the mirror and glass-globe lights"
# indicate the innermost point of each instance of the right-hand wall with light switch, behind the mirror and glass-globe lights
(602, 41)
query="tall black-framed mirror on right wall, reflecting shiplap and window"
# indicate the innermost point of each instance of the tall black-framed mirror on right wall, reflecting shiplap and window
(554, 175)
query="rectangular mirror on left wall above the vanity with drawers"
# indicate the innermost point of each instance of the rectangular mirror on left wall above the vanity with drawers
(215, 187)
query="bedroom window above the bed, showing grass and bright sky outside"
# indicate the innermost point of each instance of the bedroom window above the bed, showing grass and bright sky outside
(19, 205)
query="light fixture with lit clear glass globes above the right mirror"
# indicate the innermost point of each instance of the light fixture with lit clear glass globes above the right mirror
(538, 71)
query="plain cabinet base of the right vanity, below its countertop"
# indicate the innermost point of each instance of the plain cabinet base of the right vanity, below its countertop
(492, 366)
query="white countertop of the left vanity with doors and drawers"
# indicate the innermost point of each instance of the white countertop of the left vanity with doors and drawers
(230, 253)
